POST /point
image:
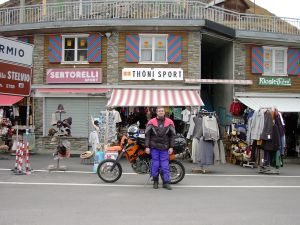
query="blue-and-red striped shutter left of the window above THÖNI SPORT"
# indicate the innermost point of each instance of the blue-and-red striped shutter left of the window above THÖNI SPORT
(132, 48)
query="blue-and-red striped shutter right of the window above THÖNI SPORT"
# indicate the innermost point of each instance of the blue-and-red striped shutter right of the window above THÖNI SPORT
(174, 48)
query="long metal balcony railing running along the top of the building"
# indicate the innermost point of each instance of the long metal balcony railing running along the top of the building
(147, 10)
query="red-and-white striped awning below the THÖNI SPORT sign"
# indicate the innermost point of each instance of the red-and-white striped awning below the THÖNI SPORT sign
(140, 97)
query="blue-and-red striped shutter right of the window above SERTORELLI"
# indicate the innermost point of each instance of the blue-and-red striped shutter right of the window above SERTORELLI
(94, 48)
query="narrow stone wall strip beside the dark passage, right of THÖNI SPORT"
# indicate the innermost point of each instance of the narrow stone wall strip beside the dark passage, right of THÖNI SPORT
(194, 55)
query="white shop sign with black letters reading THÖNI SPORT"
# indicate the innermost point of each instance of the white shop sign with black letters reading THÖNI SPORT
(152, 74)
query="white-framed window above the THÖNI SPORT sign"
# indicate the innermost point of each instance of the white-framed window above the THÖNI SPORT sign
(153, 48)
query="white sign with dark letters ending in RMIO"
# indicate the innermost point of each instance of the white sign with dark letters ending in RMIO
(15, 51)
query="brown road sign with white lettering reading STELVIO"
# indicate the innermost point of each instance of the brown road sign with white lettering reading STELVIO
(15, 80)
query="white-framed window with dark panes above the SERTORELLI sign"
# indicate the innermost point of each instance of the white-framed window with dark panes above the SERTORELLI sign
(75, 49)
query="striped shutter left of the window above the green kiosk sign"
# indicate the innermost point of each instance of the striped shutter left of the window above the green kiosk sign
(257, 59)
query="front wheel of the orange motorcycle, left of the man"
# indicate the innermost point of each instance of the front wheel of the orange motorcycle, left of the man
(106, 174)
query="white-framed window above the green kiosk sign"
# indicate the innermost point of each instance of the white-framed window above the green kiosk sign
(275, 61)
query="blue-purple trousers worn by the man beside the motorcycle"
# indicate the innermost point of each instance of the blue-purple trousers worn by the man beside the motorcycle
(160, 161)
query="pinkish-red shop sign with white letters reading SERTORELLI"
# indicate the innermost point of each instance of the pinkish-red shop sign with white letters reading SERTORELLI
(78, 75)
